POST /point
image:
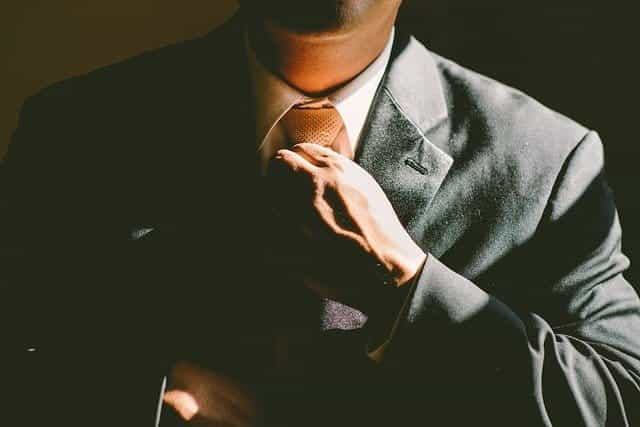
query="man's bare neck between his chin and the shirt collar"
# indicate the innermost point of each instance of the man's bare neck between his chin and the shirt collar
(317, 64)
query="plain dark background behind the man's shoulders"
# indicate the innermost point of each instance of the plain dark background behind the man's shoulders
(578, 57)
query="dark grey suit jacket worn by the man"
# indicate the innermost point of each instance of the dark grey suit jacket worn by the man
(131, 204)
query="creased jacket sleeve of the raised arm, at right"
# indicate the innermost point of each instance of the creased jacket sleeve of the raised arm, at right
(584, 370)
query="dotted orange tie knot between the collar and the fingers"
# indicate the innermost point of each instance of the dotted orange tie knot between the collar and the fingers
(317, 122)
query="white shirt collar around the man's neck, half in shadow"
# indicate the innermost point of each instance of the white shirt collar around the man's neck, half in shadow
(273, 97)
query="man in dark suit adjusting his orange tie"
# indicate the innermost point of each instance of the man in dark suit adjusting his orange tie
(306, 218)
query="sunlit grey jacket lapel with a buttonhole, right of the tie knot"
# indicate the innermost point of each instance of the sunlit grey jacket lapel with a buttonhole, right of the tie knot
(394, 150)
